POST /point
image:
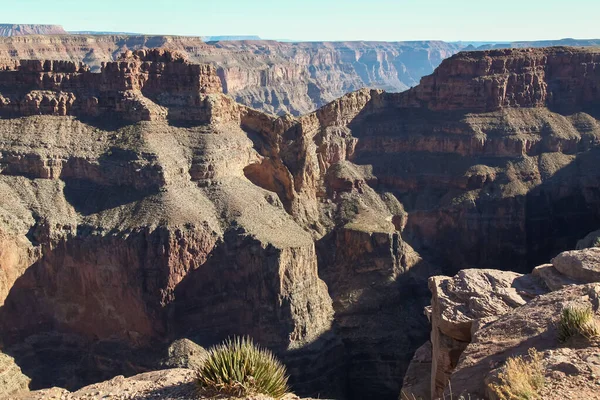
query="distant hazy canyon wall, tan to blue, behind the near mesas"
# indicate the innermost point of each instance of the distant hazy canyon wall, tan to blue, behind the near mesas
(275, 77)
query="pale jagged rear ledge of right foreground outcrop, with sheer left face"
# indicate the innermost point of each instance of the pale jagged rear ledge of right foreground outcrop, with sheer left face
(475, 299)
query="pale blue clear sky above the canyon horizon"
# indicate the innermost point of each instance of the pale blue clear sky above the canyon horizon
(315, 20)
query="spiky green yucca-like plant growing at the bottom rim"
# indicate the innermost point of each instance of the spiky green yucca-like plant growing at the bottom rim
(238, 367)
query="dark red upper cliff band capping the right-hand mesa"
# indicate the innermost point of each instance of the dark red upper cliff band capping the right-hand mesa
(487, 81)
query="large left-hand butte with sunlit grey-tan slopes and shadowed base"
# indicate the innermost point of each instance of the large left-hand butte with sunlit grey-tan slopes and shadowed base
(146, 232)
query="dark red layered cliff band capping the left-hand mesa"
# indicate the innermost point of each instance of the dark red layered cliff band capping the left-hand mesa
(125, 89)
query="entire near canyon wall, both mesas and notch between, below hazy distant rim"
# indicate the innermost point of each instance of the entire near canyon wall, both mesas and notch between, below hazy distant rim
(148, 206)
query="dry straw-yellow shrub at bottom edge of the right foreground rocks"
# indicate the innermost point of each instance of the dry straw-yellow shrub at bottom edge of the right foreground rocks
(520, 379)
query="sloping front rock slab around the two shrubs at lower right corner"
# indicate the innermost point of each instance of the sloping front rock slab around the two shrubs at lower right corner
(569, 368)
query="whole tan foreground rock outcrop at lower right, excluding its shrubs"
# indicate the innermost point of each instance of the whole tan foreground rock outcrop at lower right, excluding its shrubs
(480, 318)
